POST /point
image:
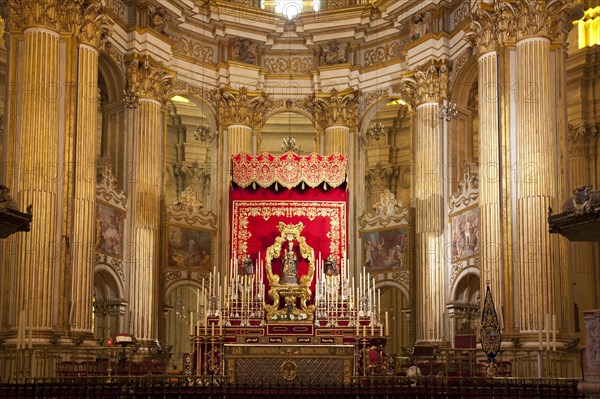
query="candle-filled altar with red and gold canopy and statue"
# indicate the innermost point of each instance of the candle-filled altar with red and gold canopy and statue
(288, 308)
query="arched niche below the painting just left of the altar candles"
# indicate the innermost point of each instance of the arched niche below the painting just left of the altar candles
(182, 312)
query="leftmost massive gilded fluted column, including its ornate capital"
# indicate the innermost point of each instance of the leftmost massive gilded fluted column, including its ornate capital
(35, 256)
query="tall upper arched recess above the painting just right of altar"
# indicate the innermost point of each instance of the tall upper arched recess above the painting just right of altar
(386, 141)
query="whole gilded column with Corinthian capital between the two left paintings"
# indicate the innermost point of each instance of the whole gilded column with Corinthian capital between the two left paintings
(147, 87)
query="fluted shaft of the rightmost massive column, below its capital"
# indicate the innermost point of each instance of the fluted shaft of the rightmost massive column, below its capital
(537, 171)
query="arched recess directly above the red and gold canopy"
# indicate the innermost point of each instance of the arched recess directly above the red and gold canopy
(282, 125)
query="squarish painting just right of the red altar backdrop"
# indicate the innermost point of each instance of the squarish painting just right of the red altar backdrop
(386, 249)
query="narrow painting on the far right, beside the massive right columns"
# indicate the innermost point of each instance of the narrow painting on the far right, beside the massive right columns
(465, 233)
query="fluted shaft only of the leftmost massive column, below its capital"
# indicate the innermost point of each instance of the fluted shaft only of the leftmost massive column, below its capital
(34, 287)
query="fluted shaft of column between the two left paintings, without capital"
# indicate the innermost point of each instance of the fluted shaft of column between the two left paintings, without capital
(148, 146)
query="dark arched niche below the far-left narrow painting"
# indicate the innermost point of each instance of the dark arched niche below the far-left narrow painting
(109, 305)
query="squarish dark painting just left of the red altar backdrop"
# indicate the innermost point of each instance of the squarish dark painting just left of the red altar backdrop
(189, 248)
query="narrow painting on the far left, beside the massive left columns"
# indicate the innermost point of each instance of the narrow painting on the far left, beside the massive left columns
(109, 231)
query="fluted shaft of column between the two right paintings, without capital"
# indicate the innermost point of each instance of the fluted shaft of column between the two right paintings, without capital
(428, 194)
